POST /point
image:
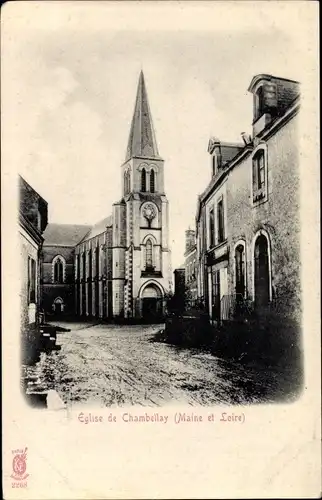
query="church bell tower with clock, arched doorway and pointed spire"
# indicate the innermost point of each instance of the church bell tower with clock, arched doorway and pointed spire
(147, 261)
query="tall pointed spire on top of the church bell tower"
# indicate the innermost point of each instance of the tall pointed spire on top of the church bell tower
(142, 140)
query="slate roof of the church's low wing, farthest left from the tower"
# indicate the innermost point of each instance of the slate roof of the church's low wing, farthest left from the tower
(64, 234)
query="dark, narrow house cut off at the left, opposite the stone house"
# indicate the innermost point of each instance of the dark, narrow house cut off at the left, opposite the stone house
(33, 210)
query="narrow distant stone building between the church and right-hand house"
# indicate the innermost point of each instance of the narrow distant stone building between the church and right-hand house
(190, 256)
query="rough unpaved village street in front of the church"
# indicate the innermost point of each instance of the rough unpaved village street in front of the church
(110, 365)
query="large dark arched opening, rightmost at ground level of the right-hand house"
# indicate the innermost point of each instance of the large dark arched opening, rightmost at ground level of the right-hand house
(261, 271)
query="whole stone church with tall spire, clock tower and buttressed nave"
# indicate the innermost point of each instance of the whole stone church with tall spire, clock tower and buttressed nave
(121, 266)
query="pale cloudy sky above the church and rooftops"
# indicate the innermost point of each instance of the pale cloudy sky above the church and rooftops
(70, 80)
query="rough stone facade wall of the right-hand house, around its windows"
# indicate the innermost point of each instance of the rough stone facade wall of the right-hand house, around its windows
(278, 216)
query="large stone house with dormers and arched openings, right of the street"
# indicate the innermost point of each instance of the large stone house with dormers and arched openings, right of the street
(248, 216)
